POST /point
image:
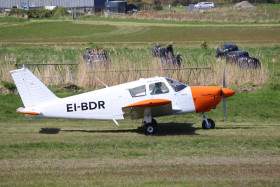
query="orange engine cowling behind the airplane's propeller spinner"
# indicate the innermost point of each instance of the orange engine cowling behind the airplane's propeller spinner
(206, 97)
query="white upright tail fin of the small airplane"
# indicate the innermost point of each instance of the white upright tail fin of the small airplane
(32, 91)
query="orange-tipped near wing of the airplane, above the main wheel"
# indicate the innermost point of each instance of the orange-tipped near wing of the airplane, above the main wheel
(159, 107)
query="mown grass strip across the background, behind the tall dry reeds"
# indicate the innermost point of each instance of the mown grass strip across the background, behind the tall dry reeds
(59, 32)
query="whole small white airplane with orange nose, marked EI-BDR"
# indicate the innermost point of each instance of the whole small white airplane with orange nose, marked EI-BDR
(145, 98)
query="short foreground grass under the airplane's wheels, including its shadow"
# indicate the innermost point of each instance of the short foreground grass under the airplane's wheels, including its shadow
(88, 152)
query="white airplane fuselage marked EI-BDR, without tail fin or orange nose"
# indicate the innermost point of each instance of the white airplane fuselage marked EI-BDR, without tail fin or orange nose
(108, 103)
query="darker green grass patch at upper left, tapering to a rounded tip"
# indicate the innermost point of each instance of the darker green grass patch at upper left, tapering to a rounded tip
(50, 31)
